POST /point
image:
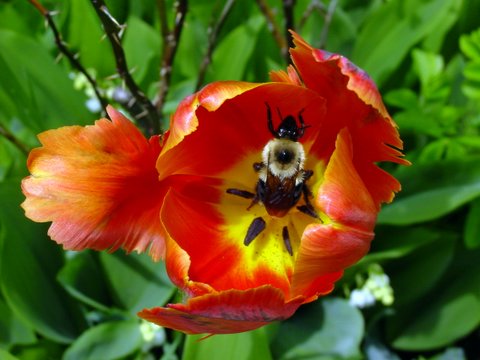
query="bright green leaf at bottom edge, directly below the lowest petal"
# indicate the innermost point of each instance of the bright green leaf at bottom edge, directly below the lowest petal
(251, 345)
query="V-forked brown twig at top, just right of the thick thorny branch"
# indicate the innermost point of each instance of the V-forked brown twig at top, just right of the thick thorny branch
(170, 46)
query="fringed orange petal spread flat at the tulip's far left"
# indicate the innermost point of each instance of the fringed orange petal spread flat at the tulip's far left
(98, 185)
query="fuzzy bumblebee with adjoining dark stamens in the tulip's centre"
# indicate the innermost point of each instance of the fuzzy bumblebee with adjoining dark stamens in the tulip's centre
(281, 176)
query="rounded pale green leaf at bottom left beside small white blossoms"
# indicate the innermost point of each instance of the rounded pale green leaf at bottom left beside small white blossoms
(107, 341)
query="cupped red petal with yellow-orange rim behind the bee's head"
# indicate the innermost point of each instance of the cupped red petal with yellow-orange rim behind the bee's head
(235, 130)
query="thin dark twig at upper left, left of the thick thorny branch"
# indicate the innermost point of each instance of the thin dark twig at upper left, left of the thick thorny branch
(65, 51)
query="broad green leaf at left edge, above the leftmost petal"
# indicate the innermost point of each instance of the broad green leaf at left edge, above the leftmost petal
(36, 95)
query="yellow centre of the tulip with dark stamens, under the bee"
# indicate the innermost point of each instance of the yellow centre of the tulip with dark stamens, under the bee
(273, 239)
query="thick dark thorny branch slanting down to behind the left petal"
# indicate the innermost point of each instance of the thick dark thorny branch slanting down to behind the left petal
(148, 119)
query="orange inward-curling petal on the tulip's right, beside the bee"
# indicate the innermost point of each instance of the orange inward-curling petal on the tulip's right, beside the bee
(327, 249)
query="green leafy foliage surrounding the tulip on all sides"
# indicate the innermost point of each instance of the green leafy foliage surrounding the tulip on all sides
(424, 56)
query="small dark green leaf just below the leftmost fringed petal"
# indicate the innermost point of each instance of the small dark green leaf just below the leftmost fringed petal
(82, 278)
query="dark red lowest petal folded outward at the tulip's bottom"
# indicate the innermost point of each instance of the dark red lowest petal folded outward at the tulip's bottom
(225, 312)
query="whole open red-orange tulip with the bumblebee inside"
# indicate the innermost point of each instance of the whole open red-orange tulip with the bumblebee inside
(260, 197)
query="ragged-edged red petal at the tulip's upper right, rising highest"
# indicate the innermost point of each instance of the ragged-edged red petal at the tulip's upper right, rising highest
(354, 102)
